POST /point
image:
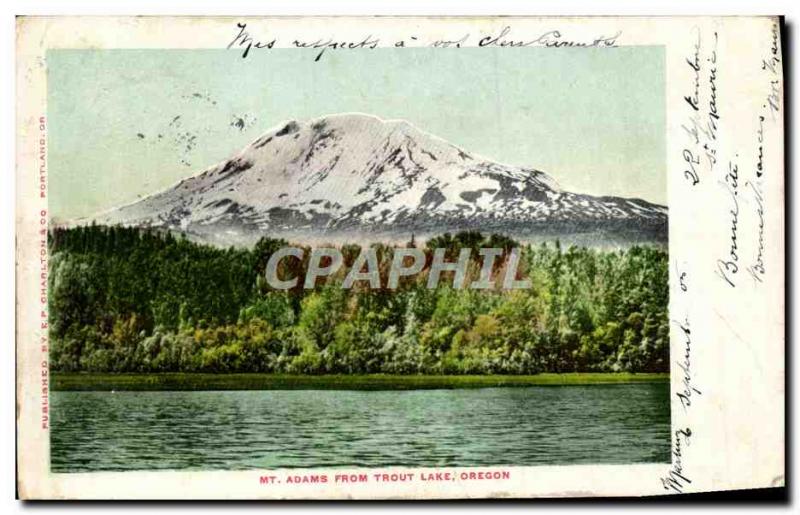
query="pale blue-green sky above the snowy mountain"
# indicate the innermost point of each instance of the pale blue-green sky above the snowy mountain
(593, 119)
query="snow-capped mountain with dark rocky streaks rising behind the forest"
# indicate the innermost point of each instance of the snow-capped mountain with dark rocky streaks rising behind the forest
(359, 177)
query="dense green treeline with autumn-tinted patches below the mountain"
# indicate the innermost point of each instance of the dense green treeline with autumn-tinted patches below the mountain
(129, 300)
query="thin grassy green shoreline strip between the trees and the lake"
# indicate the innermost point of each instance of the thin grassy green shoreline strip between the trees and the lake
(177, 381)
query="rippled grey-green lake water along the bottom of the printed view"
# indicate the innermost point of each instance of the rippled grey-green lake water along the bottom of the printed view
(539, 425)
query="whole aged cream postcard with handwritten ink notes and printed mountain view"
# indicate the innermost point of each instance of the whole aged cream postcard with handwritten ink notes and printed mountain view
(399, 257)
